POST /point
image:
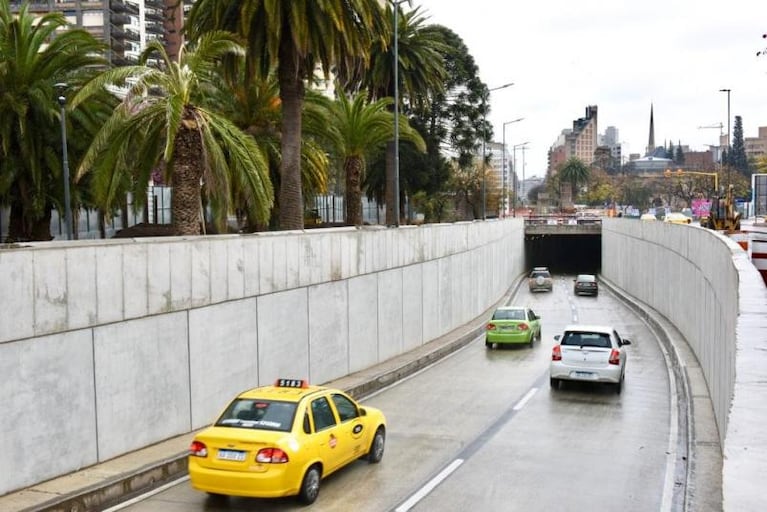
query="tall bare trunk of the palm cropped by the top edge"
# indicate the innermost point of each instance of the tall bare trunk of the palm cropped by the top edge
(292, 96)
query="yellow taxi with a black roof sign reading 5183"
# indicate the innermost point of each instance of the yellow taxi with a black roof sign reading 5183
(281, 440)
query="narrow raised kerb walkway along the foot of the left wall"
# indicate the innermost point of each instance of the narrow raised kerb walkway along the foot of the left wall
(103, 485)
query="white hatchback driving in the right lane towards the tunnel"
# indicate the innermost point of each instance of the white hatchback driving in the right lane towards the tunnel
(589, 353)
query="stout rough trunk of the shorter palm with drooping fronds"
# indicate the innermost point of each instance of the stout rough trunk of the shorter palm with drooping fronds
(187, 171)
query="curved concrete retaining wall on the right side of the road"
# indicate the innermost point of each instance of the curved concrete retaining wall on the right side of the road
(704, 283)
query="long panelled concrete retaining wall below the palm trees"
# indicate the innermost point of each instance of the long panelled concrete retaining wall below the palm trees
(109, 346)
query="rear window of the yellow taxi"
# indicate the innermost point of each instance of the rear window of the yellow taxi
(258, 414)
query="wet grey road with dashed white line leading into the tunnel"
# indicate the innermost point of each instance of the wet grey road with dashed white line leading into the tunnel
(482, 430)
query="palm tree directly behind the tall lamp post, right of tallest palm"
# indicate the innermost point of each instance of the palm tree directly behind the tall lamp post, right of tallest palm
(421, 51)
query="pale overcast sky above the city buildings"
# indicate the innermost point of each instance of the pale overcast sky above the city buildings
(563, 55)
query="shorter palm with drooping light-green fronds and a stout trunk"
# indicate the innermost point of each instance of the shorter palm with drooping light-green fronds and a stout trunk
(164, 118)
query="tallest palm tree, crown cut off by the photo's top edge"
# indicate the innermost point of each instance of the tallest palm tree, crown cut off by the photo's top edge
(294, 38)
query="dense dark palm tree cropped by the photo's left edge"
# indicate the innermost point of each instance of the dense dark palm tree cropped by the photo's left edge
(36, 53)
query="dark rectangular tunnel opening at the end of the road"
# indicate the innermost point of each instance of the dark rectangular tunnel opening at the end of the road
(564, 254)
